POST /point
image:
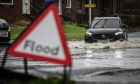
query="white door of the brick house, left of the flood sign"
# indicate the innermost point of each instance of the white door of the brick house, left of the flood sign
(26, 6)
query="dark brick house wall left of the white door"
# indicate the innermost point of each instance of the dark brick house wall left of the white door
(10, 9)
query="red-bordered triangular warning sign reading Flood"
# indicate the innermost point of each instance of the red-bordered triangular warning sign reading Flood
(43, 40)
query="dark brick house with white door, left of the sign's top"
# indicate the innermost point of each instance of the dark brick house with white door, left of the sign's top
(12, 10)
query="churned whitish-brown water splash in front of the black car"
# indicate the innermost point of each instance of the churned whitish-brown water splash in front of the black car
(103, 45)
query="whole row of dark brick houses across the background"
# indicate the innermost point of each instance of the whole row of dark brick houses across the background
(72, 10)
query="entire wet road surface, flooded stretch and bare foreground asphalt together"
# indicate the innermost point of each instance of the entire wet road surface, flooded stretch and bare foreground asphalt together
(91, 62)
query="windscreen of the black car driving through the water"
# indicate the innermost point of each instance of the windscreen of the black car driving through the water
(106, 23)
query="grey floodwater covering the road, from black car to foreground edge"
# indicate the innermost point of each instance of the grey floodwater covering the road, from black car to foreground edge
(88, 59)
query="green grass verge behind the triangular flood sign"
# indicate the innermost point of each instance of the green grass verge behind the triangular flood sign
(72, 31)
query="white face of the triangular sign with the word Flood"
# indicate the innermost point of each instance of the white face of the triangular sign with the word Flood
(43, 40)
